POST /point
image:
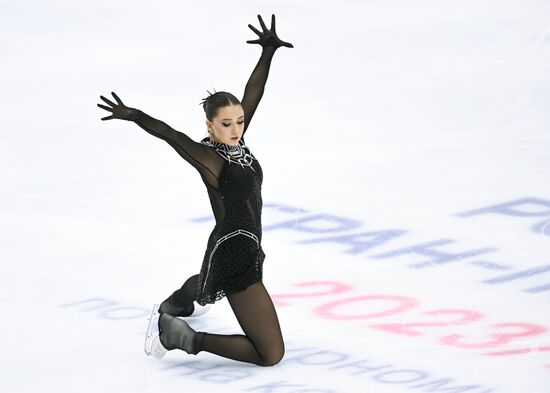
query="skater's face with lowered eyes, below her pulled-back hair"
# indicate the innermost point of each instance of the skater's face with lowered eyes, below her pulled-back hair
(228, 125)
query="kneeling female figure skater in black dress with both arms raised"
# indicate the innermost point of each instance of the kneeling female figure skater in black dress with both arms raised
(233, 260)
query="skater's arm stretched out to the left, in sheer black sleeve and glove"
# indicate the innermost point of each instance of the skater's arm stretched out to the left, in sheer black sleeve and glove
(193, 152)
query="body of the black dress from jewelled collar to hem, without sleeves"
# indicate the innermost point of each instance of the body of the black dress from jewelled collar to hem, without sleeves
(234, 256)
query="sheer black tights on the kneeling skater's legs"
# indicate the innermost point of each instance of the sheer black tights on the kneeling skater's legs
(262, 342)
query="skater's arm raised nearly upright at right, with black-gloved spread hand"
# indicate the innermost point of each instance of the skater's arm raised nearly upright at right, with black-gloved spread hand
(254, 89)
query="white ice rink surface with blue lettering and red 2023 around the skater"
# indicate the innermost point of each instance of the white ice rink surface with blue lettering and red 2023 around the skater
(405, 147)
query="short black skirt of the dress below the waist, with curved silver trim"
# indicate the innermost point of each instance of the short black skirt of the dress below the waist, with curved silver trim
(232, 262)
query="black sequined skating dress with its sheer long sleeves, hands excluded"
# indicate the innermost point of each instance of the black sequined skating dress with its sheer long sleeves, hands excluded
(233, 177)
